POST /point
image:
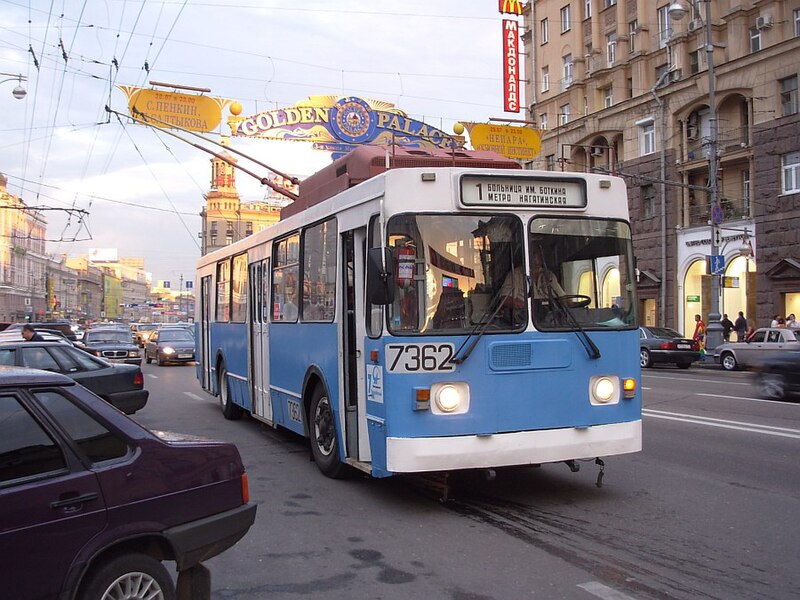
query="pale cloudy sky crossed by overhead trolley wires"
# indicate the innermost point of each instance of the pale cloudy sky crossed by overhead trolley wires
(439, 61)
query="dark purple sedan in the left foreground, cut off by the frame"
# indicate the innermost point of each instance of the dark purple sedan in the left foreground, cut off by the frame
(93, 502)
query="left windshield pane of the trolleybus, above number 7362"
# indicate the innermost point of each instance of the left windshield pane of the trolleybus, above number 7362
(456, 272)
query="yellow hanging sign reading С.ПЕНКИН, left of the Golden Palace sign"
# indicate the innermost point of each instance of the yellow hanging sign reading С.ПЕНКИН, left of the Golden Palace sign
(166, 109)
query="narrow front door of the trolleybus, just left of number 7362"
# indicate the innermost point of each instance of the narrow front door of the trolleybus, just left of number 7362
(356, 436)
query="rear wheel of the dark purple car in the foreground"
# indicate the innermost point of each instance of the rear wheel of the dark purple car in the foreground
(129, 577)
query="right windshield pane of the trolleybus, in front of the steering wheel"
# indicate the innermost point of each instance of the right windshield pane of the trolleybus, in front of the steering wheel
(582, 274)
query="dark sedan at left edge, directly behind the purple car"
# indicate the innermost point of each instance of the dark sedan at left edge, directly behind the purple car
(120, 385)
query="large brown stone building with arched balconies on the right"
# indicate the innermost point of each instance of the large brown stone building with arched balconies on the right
(622, 86)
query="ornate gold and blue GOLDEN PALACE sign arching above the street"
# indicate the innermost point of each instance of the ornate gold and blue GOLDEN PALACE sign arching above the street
(339, 124)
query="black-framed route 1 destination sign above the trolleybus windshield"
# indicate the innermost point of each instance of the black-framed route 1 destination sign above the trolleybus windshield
(519, 191)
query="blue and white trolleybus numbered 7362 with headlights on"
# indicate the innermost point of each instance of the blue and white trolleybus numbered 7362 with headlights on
(433, 318)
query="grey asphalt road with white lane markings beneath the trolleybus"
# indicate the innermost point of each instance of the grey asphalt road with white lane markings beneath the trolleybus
(709, 509)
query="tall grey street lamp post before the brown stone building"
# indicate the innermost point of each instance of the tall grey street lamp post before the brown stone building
(677, 11)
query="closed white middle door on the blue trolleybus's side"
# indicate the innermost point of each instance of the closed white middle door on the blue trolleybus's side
(259, 339)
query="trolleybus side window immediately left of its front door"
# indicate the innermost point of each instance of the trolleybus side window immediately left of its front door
(319, 272)
